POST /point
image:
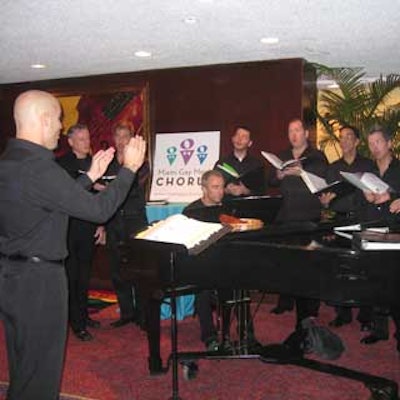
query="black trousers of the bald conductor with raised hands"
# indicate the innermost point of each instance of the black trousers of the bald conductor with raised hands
(33, 307)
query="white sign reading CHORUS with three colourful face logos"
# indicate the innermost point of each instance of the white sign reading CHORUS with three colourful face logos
(179, 161)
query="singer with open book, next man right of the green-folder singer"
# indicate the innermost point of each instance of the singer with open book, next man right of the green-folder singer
(299, 204)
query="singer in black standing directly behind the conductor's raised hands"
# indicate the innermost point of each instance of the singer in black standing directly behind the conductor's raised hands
(129, 219)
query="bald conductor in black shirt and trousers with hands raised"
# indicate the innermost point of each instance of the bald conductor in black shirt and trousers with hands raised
(37, 196)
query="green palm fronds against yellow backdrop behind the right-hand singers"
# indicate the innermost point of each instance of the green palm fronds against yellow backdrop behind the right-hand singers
(357, 103)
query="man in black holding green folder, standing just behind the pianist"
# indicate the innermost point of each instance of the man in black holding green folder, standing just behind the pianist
(248, 166)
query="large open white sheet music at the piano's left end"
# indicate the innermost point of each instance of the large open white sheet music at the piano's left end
(193, 234)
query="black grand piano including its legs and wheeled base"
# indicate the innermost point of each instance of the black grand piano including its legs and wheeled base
(301, 259)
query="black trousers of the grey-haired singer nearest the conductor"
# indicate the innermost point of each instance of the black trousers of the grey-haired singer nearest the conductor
(79, 266)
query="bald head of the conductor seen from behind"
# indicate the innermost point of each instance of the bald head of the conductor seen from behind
(37, 118)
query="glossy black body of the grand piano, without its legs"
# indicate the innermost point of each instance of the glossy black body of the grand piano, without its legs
(303, 259)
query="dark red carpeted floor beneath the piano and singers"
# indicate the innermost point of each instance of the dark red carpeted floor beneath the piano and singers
(114, 365)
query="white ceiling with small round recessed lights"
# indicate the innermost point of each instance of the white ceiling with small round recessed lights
(90, 37)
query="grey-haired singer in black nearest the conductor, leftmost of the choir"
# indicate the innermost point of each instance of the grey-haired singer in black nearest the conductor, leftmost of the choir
(82, 237)
